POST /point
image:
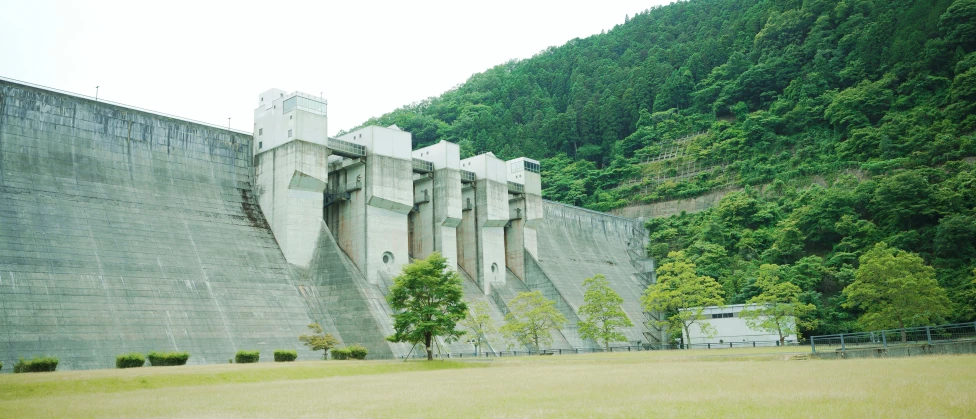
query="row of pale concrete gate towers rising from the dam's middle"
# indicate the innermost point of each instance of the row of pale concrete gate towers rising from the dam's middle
(385, 204)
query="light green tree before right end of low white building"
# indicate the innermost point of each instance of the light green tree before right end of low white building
(778, 309)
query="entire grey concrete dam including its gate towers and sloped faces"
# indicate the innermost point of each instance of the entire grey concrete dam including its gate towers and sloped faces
(123, 230)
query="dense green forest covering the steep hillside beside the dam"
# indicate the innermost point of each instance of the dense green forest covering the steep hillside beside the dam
(838, 124)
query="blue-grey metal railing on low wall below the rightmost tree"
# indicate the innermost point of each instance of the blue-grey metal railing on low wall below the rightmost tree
(895, 337)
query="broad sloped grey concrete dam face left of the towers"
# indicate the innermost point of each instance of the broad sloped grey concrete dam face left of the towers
(125, 231)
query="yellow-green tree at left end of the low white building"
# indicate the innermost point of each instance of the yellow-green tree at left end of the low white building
(682, 294)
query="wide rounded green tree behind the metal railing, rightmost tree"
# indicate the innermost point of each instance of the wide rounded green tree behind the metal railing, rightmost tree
(896, 289)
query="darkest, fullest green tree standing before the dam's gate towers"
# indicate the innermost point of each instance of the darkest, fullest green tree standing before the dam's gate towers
(427, 299)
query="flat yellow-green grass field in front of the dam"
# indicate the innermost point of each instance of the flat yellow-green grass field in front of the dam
(718, 383)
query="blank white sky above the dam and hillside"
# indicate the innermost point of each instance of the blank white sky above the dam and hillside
(209, 61)
